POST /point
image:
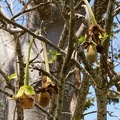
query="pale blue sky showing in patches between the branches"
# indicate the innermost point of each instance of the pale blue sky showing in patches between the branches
(116, 108)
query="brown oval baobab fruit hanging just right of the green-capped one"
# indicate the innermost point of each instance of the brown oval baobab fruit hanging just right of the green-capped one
(44, 99)
